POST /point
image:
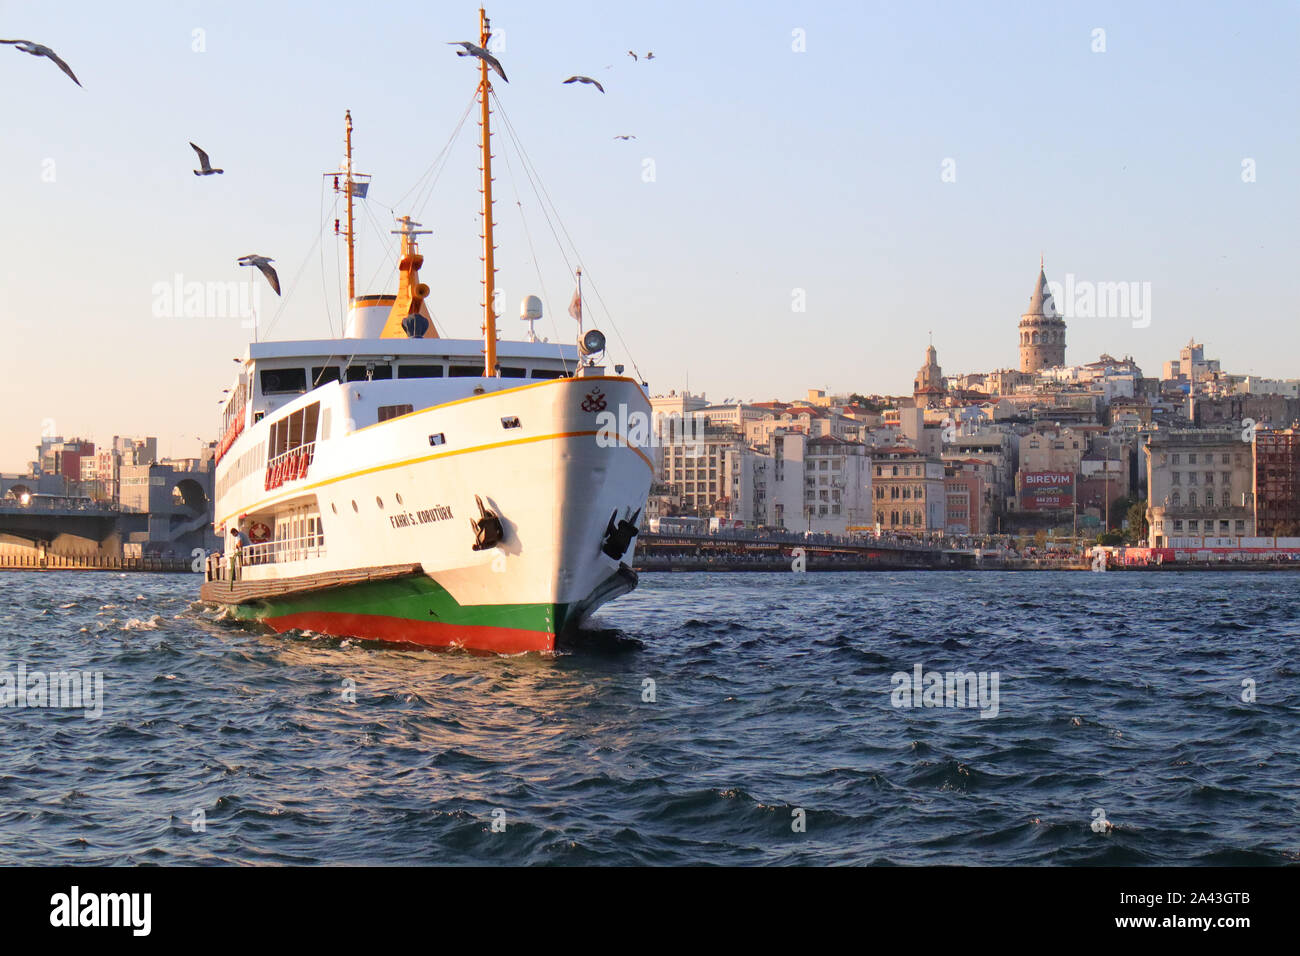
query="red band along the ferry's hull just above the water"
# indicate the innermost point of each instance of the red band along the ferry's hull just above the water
(499, 641)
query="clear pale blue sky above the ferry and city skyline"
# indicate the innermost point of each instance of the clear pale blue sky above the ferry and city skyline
(774, 171)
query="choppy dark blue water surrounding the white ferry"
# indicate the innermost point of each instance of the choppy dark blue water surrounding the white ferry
(772, 695)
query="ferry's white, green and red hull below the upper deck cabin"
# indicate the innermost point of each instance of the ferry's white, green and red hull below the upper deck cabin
(372, 529)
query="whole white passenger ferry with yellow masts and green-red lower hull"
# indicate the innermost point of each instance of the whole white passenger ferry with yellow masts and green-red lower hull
(401, 487)
